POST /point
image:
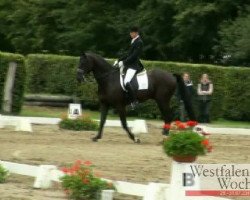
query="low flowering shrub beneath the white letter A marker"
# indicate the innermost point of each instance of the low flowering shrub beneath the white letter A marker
(78, 124)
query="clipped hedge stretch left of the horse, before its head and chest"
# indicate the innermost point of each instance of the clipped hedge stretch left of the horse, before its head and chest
(53, 74)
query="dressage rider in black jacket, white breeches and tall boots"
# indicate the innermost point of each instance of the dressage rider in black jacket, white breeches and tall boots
(131, 63)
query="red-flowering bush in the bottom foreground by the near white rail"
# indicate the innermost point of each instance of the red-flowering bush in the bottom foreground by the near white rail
(80, 182)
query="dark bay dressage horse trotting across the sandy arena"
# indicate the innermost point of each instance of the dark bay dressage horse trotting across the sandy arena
(161, 88)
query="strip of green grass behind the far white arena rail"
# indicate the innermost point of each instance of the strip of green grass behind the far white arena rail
(58, 112)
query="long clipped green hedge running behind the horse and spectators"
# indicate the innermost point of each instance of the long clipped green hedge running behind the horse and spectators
(55, 74)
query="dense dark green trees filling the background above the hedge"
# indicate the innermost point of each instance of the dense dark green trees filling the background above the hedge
(177, 30)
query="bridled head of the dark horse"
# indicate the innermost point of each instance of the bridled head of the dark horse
(83, 68)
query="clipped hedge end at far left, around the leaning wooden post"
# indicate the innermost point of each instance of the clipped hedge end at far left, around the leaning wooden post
(19, 84)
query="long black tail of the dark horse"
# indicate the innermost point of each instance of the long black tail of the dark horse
(185, 97)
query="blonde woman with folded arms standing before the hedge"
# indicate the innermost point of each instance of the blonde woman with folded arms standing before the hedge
(204, 91)
